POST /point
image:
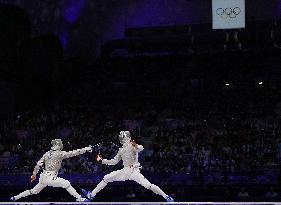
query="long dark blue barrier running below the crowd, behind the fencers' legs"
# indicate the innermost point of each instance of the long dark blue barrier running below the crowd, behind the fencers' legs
(160, 178)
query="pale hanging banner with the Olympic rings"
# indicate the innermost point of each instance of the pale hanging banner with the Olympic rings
(228, 14)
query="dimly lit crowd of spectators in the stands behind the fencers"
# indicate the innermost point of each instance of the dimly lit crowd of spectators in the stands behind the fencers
(201, 134)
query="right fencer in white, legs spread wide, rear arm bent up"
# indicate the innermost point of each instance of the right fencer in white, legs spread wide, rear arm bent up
(128, 153)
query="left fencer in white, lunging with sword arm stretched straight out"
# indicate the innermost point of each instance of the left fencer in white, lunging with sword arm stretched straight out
(51, 164)
